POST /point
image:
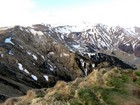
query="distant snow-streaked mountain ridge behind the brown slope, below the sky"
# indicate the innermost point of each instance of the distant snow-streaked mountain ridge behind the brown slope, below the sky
(98, 37)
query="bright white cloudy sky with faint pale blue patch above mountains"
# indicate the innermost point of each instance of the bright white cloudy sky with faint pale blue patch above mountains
(71, 12)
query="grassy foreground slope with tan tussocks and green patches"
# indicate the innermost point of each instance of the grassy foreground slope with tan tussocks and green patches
(101, 87)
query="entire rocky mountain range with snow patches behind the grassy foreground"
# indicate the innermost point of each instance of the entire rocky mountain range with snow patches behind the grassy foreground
(38, 56)
